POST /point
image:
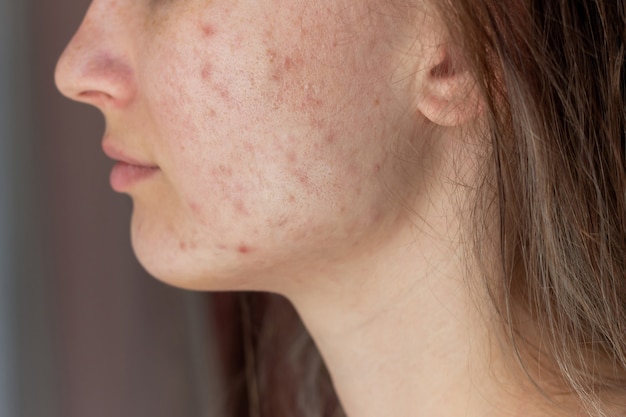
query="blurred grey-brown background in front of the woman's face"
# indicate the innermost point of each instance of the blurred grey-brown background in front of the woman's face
(84, 332)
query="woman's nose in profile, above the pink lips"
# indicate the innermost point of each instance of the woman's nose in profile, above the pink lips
(95, 68)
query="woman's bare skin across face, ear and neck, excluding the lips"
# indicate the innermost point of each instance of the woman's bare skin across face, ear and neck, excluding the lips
(318, 150)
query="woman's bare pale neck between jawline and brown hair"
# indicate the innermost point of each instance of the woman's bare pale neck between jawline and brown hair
(405, 331)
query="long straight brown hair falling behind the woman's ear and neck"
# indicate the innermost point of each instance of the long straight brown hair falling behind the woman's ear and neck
(553, 79)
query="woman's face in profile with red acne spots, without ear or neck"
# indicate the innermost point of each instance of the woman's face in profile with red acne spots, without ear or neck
(260, 139)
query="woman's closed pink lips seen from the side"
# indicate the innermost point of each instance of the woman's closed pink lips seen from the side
(128, 171)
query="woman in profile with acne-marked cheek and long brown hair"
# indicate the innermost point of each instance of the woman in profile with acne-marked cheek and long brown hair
(438, 187)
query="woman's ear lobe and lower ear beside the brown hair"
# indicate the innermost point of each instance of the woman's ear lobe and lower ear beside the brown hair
(449, 94)
